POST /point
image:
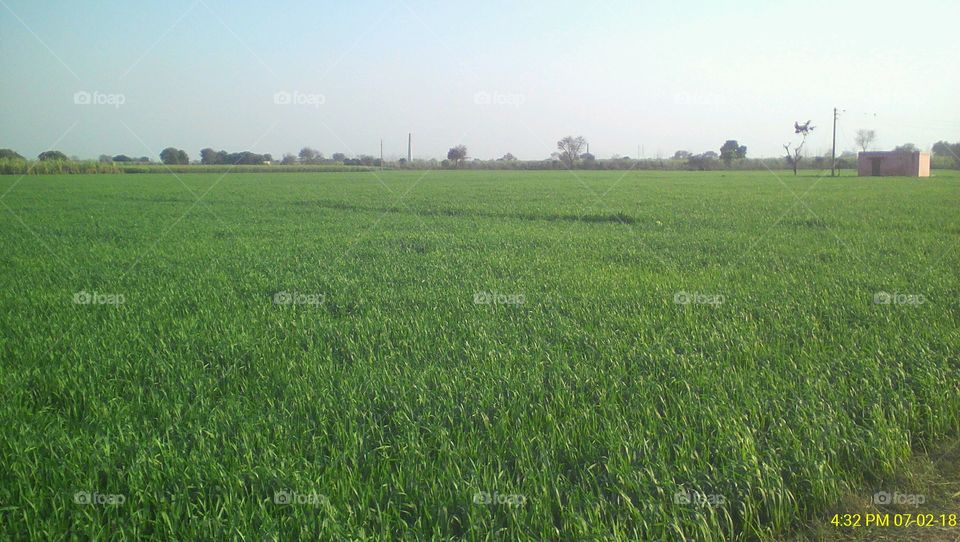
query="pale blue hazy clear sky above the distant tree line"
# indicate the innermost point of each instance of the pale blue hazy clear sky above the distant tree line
(648, 77)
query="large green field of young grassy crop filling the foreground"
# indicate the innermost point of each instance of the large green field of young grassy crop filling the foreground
(477, 355)
